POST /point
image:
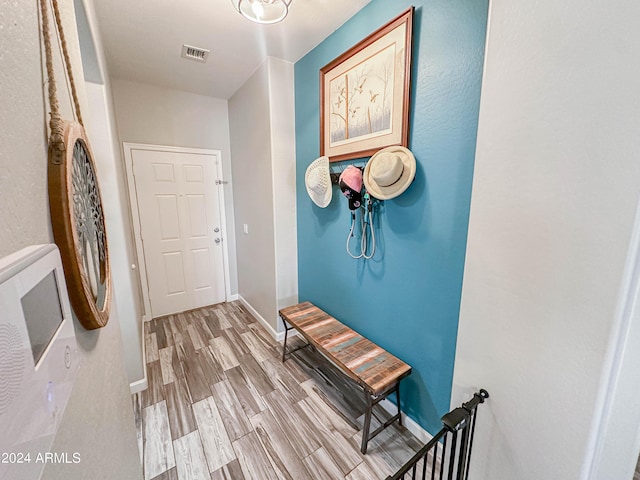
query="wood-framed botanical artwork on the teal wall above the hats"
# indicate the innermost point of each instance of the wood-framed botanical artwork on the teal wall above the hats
(364, 94)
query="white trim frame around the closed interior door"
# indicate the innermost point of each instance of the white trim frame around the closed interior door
(128, 149)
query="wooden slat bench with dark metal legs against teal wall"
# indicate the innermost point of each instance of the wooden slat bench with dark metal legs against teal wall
(375, 370)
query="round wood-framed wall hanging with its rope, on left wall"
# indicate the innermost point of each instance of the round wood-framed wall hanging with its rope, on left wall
(74, 196)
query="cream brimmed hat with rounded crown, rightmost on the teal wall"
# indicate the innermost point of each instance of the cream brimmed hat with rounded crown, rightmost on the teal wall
(389, 172)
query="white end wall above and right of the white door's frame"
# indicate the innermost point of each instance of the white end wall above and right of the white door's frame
(160, 116)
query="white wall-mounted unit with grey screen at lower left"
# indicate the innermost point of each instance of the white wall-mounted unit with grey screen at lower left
(39, 359)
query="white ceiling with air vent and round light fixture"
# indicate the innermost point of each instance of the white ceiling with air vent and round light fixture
(143, 40)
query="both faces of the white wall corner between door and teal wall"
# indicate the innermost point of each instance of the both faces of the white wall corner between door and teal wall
(262, 122)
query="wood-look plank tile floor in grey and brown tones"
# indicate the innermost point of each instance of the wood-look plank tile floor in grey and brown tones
(221, 405)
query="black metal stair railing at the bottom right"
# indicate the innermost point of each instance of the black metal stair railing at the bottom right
(449, 457)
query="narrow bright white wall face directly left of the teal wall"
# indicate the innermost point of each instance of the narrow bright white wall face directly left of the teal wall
(283, 154)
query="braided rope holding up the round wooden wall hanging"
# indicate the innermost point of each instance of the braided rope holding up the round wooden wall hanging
(56, 123)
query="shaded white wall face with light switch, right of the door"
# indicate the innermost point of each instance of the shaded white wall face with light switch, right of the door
(250, 125)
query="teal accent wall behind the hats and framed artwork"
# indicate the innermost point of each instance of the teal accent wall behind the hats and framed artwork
(407, 298)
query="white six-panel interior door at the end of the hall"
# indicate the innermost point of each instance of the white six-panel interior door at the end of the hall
(181, 230)
